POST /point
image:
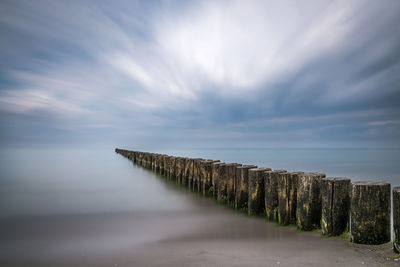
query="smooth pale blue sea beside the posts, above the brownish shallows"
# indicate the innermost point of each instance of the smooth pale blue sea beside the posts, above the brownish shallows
(61, 181)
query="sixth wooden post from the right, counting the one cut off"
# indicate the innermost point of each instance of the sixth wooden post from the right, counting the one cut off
(271, 194)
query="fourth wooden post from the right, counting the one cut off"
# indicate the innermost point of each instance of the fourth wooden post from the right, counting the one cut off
(309, 207)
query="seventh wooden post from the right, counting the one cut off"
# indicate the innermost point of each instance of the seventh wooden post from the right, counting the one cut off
(256, 201)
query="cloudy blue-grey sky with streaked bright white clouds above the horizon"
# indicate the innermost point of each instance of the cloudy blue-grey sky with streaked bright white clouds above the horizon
(151, 74)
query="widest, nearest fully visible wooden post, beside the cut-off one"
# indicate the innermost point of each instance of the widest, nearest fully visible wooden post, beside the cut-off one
(370, 213)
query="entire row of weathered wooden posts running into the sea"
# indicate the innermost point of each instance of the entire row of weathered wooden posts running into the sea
(309, 200)
